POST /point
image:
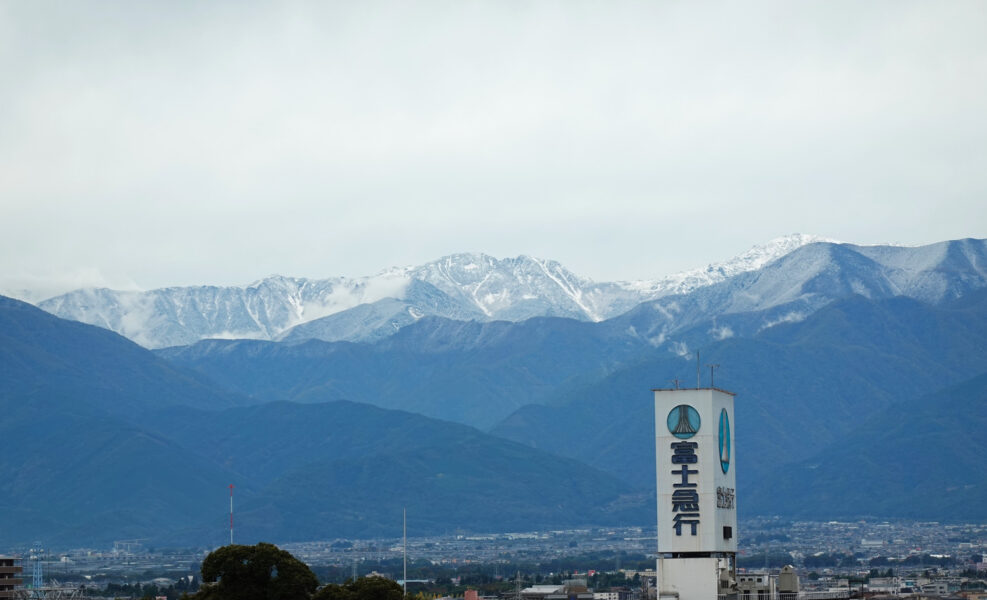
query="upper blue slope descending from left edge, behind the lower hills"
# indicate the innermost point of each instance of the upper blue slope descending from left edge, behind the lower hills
(42, 356)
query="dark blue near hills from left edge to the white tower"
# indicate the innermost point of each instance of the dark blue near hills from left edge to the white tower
(101, 440)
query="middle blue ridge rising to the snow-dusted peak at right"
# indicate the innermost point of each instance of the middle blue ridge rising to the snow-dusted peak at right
(477, 372)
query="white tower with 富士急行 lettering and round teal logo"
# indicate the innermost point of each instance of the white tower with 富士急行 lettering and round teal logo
(697, 513)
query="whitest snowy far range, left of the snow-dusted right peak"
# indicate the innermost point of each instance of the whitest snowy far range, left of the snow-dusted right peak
(460, 286)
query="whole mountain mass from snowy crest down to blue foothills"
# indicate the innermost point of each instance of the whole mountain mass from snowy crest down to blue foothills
(482, 422)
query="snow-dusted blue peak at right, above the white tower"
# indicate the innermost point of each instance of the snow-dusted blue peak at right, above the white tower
(797, 284)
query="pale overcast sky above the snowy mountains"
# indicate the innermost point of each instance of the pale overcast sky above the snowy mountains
(145, 144)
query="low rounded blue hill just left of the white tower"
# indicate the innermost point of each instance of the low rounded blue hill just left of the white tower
(346, 469)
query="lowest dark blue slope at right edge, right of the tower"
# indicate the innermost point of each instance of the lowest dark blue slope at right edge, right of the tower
(920, 459)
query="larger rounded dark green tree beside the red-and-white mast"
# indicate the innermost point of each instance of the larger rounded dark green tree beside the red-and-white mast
(261, 572)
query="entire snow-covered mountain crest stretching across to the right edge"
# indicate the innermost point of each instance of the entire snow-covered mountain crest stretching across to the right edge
(483, 288)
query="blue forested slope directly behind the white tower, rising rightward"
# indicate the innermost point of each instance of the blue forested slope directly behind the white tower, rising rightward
(801, 386)
